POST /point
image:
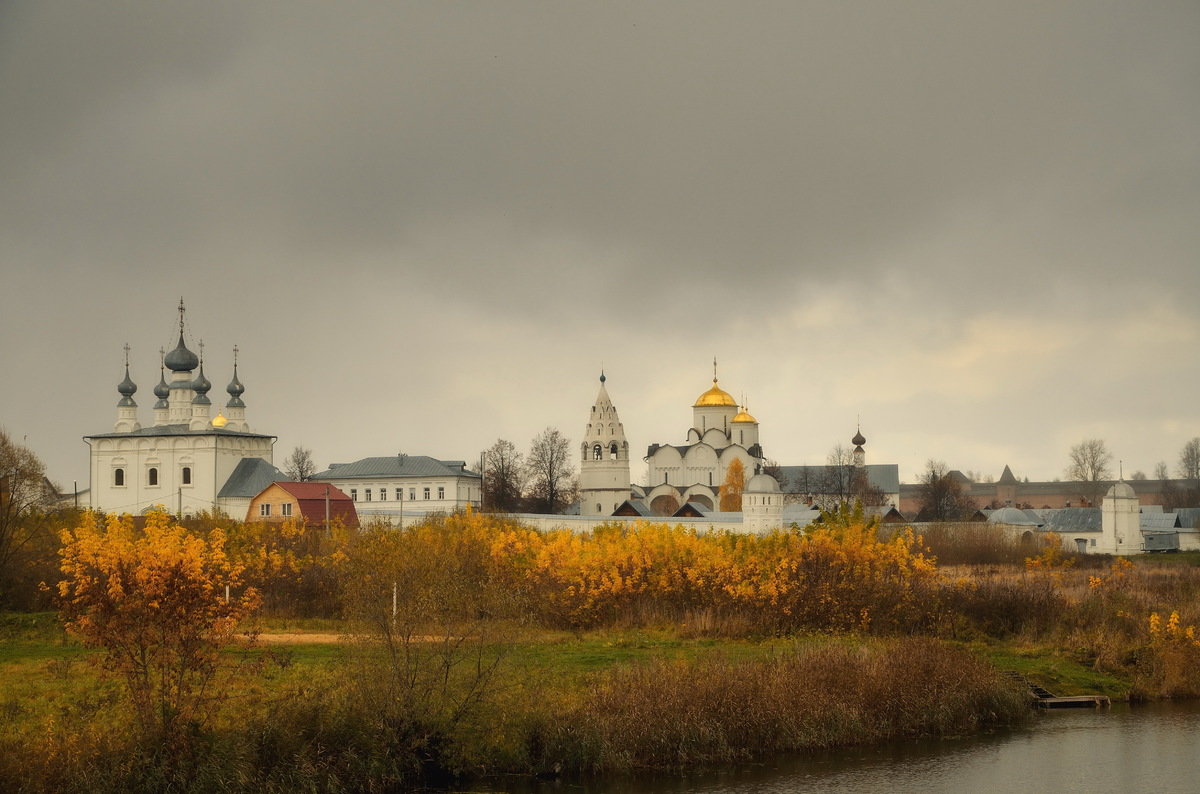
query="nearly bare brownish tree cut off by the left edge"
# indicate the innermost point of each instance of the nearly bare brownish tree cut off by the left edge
(25, 492)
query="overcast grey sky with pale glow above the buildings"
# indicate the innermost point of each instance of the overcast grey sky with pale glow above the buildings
(429, 225)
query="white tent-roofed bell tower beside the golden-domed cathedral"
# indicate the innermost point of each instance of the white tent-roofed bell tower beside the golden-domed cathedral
(604, 466)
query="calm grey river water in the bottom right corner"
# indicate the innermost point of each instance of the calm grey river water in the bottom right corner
(1120, 750)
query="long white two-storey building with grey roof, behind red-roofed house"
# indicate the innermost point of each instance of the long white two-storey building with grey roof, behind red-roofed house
(404, 489)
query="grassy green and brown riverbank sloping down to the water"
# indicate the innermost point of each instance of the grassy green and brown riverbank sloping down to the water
(554, 705)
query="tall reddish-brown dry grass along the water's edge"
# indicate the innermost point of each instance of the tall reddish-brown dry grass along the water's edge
(676, 715)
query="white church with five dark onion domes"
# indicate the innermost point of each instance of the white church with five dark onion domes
(187, 461)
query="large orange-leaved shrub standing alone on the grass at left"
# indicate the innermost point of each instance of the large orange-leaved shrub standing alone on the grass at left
(155, 603)
